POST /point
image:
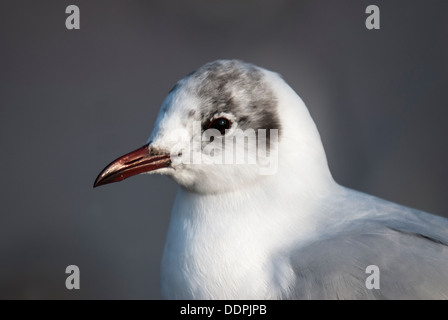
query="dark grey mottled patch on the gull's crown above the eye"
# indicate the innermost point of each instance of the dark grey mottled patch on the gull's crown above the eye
(235, 87)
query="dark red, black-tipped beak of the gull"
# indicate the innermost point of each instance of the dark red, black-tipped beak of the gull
(138, 161)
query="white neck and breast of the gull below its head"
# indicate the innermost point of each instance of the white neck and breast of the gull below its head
(219, 246)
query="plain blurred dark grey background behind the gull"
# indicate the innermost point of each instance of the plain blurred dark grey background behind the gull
(72, 101)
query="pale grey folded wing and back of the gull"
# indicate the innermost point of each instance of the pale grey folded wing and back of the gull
(409, 247)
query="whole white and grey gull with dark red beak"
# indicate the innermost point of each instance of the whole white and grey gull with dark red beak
(291, 232)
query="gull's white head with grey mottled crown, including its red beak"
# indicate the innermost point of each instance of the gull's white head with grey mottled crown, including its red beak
(226, 126)
